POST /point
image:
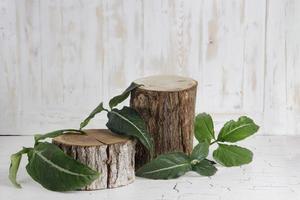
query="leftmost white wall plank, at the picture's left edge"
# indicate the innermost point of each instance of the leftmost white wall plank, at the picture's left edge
(21, 66)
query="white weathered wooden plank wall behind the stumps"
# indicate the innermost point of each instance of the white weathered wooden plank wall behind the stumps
(60, 58)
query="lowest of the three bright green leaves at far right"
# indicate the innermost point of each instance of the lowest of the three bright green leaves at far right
(232, 155)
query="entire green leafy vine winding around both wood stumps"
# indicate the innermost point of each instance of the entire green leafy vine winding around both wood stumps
(68, 174)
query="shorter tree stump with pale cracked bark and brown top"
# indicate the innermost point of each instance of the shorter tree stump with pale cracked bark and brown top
(110, 154)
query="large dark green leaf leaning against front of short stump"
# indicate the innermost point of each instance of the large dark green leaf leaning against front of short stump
(54, 170)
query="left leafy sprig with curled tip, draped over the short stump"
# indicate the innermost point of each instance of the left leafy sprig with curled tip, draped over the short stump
(50, 166)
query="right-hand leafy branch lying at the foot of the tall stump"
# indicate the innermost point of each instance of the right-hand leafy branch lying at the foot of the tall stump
(173, 165)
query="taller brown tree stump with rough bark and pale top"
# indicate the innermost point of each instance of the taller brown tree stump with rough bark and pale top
(167, 104)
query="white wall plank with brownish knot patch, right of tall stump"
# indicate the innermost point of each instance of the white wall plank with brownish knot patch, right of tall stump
(223, 74)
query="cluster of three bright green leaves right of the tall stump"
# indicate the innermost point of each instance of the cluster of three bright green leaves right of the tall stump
(232, 131)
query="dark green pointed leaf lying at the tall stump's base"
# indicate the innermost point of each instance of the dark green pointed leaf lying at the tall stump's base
(166, 166)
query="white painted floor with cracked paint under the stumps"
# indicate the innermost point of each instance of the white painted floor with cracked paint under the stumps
(273, 174)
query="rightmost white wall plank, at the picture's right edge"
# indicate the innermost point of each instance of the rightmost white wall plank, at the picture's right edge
(281, 103)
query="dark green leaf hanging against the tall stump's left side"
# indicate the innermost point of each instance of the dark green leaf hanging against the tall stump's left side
(128, 122)
